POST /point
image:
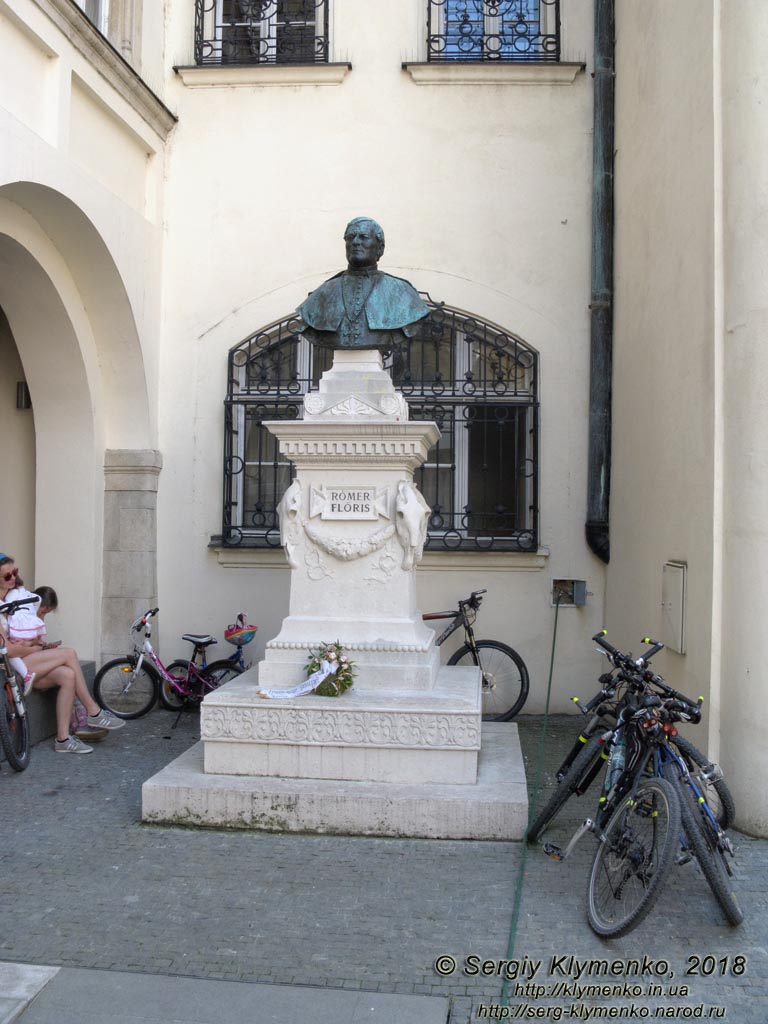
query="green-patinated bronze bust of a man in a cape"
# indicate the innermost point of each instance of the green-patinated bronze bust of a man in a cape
(362, 308)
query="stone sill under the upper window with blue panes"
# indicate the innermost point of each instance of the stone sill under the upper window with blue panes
(496, 73)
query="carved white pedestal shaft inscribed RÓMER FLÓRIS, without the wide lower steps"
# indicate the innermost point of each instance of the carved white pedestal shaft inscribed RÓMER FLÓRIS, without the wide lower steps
(354, 526)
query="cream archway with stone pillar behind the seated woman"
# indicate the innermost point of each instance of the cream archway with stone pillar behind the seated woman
(74, 328)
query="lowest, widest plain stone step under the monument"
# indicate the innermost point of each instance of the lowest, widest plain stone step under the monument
(496, 808)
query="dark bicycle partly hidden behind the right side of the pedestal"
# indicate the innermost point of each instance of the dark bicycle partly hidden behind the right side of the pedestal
(505, 677)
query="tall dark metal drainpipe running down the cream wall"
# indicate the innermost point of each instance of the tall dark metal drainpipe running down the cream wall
(602, 307)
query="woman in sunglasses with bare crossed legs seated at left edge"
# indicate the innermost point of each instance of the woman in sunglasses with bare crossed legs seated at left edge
(59, 667)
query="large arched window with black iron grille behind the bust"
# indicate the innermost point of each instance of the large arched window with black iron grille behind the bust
(478, 382)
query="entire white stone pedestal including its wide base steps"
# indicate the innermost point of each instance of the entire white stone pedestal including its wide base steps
(400, 753)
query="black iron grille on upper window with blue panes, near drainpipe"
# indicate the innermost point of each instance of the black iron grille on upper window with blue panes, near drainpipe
(493, 30)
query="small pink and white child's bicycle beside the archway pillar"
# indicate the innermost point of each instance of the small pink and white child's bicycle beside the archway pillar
(130, 688)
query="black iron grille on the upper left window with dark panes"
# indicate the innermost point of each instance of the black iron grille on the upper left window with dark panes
(255, 32)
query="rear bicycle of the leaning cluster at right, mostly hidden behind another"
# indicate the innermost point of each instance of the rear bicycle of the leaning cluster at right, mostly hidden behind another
(589, 754)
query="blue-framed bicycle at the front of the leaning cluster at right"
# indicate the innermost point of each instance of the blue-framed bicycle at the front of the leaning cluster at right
(650, 807)
